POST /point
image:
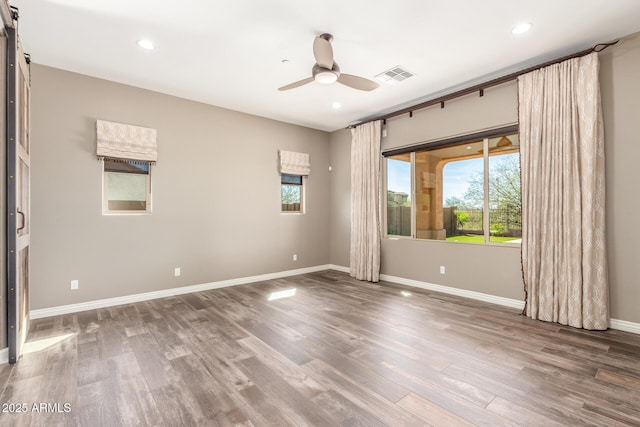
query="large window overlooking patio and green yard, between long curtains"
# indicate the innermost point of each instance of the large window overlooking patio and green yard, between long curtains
(463, 191)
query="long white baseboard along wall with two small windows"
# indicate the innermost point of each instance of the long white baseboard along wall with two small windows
(128, 299)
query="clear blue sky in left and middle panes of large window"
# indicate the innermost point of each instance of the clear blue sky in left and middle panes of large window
(456, 176)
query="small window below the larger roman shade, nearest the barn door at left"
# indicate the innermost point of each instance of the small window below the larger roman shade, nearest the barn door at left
(126, 186)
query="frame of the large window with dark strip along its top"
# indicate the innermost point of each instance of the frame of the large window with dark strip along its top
(485, 136)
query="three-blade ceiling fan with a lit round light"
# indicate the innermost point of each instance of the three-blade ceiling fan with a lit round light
(326, 70)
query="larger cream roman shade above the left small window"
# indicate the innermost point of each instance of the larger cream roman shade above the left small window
(120, 141)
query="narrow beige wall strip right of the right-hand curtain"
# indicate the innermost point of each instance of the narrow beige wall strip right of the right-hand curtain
(620, 85)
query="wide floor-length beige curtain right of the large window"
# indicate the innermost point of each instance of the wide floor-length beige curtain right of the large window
(563, 194)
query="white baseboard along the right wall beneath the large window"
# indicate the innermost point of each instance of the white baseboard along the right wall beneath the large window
(621, 325)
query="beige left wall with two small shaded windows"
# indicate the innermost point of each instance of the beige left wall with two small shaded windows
(216, 207)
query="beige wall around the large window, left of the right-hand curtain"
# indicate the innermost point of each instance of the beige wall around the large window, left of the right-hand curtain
(493, 270)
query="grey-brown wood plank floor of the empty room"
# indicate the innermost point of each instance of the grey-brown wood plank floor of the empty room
(338, 352)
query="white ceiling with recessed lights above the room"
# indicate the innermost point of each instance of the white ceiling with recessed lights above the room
(229, 53)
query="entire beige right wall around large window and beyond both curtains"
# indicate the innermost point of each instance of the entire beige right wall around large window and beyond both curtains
(496, 270)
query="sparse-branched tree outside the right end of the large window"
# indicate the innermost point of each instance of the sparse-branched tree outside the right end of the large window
(504, 184)
